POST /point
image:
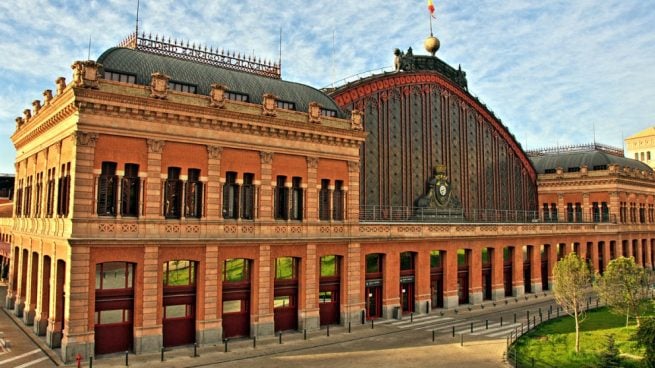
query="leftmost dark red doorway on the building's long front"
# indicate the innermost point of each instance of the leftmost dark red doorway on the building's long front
(114, 307)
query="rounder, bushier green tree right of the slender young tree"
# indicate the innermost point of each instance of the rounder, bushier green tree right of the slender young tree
(624, 287)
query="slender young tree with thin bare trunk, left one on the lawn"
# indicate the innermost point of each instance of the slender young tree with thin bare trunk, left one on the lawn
(572, 278)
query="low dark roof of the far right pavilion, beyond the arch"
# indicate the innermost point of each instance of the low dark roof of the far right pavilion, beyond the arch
(590, 158)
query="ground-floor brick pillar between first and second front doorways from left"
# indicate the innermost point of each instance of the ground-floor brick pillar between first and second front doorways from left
(148, 336)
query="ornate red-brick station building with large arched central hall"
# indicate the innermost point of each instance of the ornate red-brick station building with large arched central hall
(169, 195)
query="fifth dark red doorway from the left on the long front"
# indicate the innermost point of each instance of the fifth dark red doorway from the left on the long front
(329, 290)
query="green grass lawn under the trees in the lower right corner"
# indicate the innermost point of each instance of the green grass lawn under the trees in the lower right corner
(553, 342)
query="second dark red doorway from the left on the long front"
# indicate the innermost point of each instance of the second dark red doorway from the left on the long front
(179, 304)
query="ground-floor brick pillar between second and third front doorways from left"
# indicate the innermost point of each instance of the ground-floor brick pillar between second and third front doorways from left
(210, 327)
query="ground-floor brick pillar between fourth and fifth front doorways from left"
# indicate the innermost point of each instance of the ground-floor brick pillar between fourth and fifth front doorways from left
(310, 318)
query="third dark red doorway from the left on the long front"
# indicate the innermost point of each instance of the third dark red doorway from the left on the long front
(236, 297)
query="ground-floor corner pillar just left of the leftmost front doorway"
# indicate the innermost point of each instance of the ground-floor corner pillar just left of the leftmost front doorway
(78, 337)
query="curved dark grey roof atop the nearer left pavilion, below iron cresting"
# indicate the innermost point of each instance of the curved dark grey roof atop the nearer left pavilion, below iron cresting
(143, 64)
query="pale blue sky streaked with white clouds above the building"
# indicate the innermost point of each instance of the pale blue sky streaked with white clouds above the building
(555, 72)
